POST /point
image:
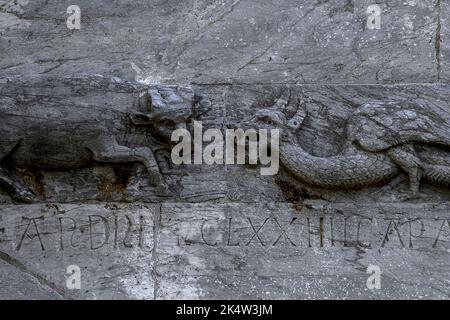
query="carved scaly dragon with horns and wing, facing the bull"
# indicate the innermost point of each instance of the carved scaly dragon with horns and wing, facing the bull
(382, 141)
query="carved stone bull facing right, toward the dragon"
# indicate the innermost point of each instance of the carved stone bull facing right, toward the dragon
(52, 129)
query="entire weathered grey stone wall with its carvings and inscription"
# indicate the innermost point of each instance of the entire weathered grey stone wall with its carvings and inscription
(225, 231)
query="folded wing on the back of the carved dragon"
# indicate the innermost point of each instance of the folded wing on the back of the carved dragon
(379, 126)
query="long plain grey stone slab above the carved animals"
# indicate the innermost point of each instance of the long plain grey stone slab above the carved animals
(223, 41)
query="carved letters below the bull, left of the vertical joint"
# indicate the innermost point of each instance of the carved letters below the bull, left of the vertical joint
(80, 229)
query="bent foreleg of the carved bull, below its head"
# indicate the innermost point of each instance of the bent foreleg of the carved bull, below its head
(114, 153)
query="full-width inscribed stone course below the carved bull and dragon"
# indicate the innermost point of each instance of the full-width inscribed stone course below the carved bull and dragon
(216, 251)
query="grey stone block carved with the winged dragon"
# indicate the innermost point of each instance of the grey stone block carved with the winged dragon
(393, 129)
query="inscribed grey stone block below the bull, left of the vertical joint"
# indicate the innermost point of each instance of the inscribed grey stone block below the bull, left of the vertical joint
(112, 244)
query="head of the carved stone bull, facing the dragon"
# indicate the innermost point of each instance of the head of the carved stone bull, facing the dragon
(167, 109)
